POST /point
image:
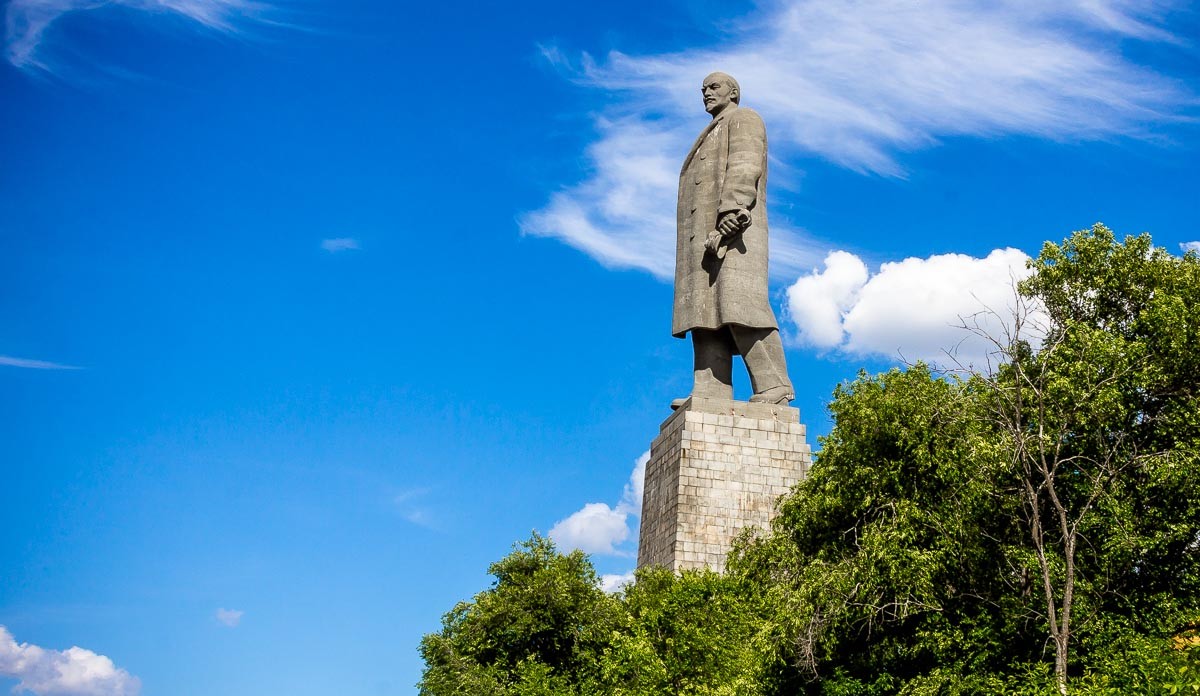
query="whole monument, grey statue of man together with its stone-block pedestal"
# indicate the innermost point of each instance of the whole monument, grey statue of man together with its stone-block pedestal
(719, 466)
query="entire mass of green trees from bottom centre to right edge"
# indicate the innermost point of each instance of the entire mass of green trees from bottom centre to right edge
(1030, 530)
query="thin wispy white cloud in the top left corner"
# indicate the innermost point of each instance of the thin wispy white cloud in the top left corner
(28, 23)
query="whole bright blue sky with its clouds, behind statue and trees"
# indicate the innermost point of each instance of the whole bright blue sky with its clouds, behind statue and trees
(310, 310)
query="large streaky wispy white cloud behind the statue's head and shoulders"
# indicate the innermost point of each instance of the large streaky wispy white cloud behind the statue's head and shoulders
(856, 85)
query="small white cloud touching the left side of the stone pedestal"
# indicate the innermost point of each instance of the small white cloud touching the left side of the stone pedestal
(599, 529)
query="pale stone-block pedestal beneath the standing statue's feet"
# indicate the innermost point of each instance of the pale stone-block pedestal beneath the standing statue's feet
(717, 469)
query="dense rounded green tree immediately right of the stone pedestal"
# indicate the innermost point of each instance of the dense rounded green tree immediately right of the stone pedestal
(887, 563)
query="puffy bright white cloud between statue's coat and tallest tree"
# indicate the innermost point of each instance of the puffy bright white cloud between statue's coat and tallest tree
(914, 309)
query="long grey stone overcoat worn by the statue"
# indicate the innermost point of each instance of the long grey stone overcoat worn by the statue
(727, 170)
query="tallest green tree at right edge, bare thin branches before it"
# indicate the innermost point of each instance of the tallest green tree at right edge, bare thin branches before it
(1105, 412)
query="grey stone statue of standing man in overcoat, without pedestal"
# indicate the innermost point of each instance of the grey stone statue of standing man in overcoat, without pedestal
(721, 291)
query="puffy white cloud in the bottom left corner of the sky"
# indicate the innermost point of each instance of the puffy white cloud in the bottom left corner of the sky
(71, 673)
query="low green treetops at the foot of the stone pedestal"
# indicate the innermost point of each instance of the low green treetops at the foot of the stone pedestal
(547, 628)
